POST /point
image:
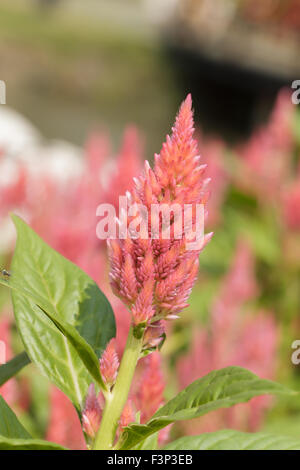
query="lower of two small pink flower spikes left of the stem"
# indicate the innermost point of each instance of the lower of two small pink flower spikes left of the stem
(91, 414)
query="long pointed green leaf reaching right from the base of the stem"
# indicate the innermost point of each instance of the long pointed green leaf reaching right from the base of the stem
(219, 389)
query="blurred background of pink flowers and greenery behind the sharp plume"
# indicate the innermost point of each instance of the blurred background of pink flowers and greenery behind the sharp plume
(92, 89)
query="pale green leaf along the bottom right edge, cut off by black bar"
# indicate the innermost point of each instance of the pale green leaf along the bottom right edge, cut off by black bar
(234, 440)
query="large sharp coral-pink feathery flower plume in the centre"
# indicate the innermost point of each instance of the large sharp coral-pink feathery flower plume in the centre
(154, 272)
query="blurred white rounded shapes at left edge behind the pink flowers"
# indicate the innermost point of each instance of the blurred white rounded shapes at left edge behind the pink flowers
(21, 143)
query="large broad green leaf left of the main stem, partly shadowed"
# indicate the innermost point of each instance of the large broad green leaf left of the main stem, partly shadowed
(65, 321)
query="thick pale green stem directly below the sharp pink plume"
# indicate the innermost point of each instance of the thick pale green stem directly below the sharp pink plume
(115, 402)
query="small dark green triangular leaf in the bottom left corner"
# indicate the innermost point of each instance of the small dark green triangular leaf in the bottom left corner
(10, 426)
